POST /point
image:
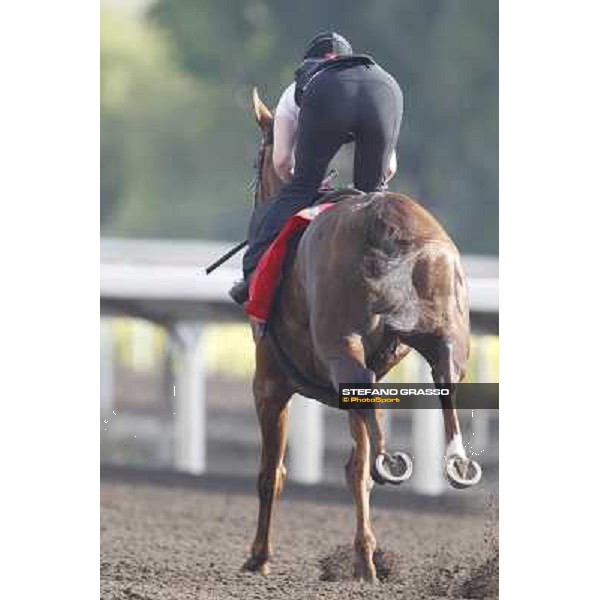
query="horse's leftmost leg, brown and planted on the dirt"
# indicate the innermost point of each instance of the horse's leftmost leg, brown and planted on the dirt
(271, 395)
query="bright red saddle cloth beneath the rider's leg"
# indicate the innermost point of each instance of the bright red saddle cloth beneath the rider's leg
(267, 275)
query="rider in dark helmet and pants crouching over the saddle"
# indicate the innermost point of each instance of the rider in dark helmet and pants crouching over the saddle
(337, 97)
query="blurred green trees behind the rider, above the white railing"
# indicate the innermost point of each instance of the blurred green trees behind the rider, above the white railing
(178, 140)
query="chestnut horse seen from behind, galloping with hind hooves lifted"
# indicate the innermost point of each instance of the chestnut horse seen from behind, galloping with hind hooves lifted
(371, 279)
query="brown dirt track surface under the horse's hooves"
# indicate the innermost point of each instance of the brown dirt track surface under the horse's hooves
(162, 542)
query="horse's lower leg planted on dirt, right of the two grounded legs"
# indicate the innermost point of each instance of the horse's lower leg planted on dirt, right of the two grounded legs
(360, 482)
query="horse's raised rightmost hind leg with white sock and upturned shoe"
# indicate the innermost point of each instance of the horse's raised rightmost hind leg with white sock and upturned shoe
(446, 369)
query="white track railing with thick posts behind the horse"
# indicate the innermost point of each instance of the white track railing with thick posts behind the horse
(165, 281)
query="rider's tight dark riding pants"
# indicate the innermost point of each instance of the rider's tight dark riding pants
(364, 101)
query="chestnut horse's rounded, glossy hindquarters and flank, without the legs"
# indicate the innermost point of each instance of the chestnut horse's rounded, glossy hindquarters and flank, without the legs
(376, 269)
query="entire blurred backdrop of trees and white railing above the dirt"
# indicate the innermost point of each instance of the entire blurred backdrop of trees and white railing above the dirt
(178, 142)
